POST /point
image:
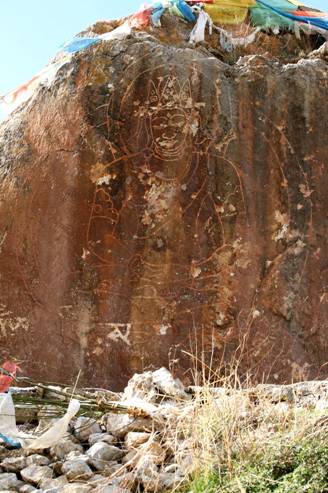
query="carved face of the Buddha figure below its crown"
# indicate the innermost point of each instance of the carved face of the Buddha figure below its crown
(171, 132)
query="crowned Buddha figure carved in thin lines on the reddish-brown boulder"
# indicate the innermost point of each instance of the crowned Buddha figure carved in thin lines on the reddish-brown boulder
(163, 212)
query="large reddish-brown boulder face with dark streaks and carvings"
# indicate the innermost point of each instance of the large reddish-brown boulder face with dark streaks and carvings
(157, 200)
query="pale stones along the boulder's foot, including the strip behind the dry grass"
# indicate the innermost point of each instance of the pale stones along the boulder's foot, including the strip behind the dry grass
(144, 449)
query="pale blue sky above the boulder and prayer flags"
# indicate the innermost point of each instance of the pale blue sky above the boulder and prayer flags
(32, 30)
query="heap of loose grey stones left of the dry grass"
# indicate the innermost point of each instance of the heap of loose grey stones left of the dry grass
(120, 454)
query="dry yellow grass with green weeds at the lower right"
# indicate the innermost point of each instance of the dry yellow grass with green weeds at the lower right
(241, 441)
